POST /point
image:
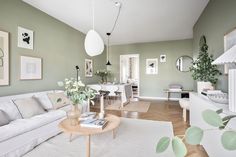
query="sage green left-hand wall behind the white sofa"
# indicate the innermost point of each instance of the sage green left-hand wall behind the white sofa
(60, 47)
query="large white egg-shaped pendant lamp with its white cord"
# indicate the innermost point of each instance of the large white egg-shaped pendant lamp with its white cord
(93, 42)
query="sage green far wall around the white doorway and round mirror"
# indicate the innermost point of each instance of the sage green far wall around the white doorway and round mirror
(153, 85)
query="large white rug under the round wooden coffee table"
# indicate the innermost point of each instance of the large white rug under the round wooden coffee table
(134, 138)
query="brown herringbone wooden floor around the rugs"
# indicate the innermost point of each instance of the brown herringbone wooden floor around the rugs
(164, 111)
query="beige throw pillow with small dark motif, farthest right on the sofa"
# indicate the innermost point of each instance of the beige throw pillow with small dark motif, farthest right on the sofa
(58, 100)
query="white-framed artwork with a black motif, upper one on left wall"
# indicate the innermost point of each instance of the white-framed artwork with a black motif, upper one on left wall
(25, 38)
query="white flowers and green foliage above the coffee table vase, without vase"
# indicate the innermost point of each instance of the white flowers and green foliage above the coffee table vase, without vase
(76, 91)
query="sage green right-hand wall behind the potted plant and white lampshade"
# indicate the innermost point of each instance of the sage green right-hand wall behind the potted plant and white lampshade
(218, 18)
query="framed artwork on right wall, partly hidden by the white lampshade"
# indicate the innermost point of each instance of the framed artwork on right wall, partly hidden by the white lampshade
(229, 41)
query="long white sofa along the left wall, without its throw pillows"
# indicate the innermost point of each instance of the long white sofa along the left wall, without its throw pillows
(22, 135)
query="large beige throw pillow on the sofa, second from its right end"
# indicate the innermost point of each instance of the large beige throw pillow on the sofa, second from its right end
(29, 107)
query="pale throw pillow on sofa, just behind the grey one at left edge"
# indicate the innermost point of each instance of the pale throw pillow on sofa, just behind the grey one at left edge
(10, 109)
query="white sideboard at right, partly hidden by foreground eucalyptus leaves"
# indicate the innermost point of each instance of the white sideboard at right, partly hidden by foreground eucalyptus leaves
(212, 139)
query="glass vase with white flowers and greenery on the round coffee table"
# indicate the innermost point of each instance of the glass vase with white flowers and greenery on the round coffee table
(78, 93)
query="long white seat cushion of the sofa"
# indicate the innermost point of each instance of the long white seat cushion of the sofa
(21, 126)
